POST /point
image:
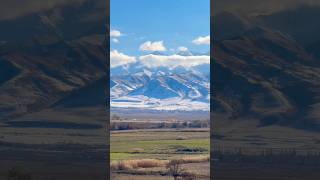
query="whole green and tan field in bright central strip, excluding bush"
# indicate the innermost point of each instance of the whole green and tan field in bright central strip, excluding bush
(144, 154)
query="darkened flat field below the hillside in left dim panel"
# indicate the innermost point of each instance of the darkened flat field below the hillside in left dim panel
(56, 144)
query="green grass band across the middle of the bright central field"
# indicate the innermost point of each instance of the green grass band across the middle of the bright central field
(158, 145)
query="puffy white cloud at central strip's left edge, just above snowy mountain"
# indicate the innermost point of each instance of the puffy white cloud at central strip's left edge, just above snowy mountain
(119, 59)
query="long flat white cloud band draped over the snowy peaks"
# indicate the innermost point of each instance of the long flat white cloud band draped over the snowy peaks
(172, 61)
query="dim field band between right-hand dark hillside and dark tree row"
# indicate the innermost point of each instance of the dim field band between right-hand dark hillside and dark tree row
(247, 134)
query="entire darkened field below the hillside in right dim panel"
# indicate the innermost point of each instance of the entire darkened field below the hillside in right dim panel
(243, 150)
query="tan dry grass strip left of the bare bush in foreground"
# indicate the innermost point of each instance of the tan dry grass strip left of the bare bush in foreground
(138, 163)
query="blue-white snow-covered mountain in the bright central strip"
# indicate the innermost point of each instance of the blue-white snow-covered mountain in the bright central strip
(160, 88)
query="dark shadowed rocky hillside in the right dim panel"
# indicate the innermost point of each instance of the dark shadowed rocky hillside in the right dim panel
(264, 72)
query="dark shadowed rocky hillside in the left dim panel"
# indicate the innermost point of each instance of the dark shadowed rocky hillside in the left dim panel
(47, 56)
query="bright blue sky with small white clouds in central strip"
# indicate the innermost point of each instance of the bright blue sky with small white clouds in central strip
(140, 27)
